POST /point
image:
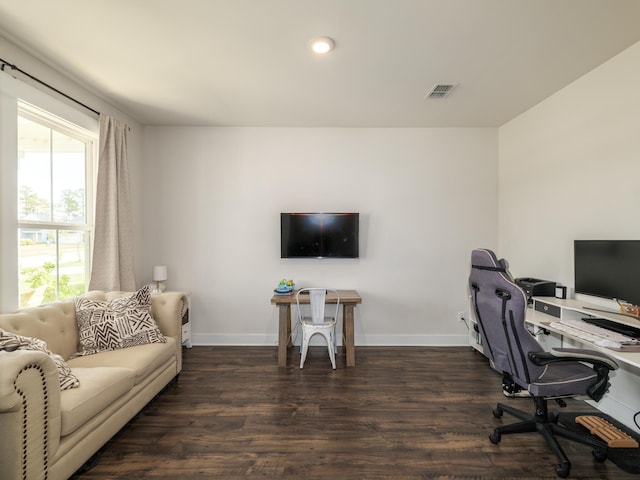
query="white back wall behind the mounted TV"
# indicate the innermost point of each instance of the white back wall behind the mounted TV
(213, 196)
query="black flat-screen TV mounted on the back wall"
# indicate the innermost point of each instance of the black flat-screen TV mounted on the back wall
(319, 235)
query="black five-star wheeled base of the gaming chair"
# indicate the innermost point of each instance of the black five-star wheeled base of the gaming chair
(547, 425)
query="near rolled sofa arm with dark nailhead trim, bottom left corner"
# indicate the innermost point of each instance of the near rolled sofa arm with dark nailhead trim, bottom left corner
(29, 412)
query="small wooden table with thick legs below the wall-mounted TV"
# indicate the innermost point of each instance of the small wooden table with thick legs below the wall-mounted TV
(348, 299)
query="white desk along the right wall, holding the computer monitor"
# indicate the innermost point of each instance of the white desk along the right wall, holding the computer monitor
(622, 401)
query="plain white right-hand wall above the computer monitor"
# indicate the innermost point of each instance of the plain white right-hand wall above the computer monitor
(570, 169)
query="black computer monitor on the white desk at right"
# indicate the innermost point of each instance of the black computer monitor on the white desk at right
(608, 268)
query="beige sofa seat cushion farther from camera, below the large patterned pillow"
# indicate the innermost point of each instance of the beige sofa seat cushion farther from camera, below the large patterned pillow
(143, 359)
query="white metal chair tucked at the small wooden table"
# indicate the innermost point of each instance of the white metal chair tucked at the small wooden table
(318, 322)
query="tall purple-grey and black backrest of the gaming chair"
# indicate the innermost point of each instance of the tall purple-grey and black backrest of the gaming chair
(500, 307)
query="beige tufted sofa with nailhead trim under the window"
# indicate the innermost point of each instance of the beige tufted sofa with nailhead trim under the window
(48, 433)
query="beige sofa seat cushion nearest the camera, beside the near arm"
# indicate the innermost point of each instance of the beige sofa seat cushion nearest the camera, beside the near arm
(99, 388)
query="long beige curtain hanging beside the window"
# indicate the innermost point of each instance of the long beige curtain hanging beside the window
(112, 266)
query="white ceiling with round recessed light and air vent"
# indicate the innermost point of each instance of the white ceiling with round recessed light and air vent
(247, 62)
